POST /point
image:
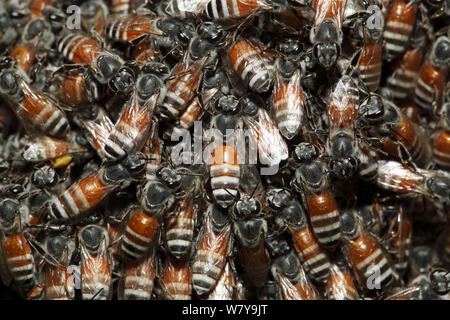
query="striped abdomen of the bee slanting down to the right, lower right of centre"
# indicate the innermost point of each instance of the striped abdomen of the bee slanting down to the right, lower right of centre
(315, 261)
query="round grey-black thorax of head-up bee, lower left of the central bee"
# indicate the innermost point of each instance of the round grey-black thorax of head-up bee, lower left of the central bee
(156, 196)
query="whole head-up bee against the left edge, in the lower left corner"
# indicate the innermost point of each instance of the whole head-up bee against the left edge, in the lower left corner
(15, 249)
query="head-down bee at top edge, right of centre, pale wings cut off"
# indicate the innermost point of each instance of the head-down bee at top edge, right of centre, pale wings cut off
(326, 34)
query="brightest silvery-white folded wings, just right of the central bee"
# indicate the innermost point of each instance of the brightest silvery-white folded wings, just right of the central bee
(265, 135)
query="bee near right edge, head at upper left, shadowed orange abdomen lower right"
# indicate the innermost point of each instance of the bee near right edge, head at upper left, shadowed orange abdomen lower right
(397, 131)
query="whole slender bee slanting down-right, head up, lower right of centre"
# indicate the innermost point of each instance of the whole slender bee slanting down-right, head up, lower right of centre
(314, 258)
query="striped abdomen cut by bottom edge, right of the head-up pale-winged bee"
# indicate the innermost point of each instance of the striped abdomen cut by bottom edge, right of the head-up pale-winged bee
(137, 281)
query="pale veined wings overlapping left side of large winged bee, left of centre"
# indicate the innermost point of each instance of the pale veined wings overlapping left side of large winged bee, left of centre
(97, 132)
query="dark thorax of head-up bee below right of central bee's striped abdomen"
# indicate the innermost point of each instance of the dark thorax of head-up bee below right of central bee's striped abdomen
(250, 232)
